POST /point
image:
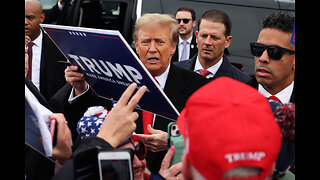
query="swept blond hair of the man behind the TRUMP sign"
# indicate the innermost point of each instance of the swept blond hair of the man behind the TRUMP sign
(156, 19)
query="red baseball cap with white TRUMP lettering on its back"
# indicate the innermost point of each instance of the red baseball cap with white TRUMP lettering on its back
(228, 124)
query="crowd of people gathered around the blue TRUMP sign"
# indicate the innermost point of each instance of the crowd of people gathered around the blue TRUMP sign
(228, 125)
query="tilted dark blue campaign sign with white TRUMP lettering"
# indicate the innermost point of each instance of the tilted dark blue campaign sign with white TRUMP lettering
(109, 65)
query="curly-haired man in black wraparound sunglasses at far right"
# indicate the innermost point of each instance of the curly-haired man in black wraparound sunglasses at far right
(274, 58)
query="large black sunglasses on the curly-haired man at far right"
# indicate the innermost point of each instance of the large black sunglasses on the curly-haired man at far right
(274, 52)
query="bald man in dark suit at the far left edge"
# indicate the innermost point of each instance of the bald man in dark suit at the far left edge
(44, 71)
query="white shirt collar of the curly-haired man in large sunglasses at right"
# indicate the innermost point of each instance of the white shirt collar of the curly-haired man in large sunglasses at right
(284, 95)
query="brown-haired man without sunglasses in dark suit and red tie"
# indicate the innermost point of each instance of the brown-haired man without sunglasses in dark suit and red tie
(213, 37)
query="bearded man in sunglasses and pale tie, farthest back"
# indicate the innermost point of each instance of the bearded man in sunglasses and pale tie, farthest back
(187, 45)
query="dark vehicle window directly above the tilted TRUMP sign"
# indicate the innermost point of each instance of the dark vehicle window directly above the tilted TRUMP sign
(103, 15)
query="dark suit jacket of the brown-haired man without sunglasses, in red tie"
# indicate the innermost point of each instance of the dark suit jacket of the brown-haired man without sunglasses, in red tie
(226, 69)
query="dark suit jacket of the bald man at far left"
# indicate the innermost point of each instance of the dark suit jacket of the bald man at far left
(51, 72)
